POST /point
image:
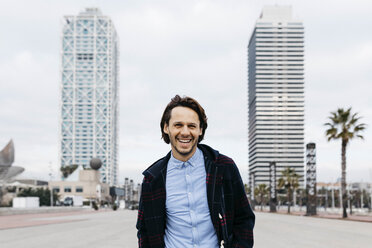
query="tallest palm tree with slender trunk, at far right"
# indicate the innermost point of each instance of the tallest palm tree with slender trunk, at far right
(344, 125)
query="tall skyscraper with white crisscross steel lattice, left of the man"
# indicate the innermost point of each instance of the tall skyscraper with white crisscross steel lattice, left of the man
(90, 86)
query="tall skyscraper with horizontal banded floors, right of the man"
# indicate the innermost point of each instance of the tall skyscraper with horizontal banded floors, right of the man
(276, 93)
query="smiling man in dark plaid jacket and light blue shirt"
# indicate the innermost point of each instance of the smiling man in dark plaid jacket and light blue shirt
(194, 196)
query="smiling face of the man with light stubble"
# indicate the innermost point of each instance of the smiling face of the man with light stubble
(183, 131)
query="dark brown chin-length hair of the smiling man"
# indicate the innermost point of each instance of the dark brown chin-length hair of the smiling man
(187, 102)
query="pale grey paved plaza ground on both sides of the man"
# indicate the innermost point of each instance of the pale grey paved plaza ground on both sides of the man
(114, 229)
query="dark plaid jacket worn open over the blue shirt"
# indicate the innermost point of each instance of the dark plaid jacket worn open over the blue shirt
(229, 208)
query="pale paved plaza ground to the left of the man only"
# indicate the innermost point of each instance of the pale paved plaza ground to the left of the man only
(102, 229)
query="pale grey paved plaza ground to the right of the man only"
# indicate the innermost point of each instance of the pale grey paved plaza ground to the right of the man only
(282, 230)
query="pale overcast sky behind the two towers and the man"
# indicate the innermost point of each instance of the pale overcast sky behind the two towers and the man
(191, 47)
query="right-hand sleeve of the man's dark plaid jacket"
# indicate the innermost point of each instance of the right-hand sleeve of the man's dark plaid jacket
(244, 217)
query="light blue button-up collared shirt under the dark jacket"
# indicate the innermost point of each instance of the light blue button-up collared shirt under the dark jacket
(189, 224)
